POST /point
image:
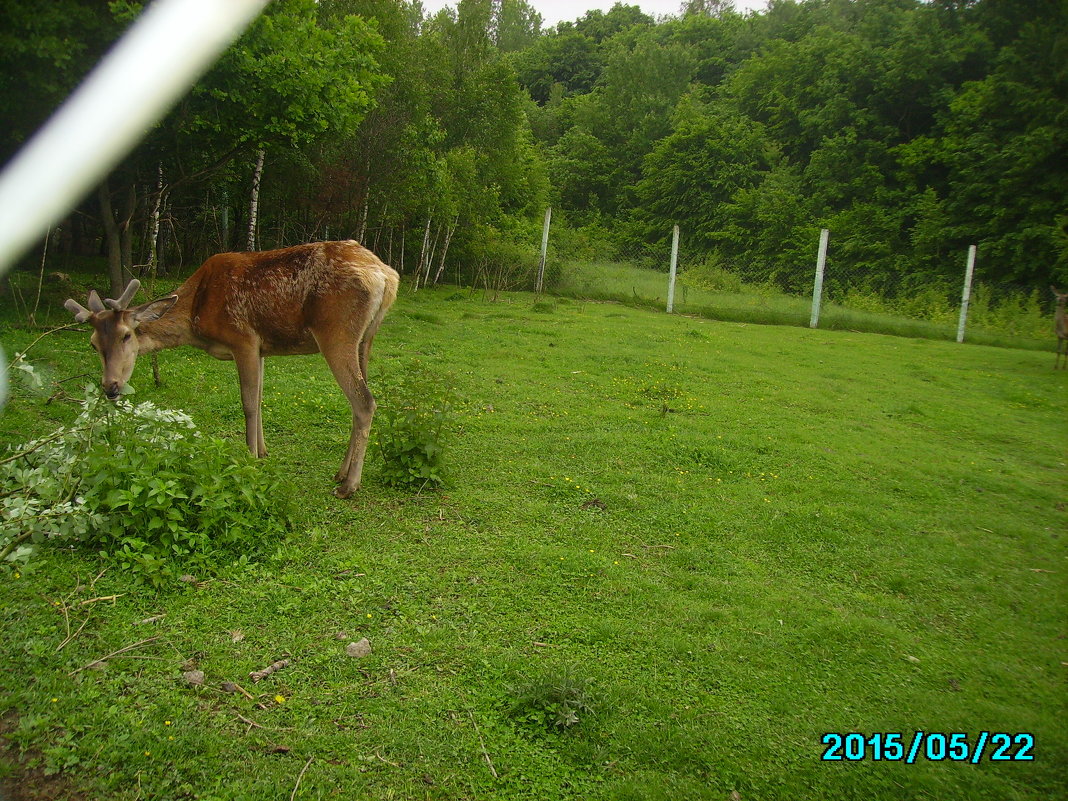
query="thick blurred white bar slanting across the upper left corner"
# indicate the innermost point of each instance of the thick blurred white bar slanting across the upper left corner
(166, 51)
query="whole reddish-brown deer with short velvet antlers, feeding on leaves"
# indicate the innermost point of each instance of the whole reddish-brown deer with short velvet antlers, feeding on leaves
(324, 297)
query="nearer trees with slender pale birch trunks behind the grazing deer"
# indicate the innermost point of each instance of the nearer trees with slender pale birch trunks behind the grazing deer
(363, 119)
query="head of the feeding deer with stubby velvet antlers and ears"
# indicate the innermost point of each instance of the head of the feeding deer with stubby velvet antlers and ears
(115, 332)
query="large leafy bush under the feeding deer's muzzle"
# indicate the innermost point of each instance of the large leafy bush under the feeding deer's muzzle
(142, 488)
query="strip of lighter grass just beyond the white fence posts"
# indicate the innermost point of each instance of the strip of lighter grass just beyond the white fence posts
(767, 305)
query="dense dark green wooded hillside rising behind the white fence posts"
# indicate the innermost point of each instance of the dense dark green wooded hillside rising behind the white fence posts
(910, 130)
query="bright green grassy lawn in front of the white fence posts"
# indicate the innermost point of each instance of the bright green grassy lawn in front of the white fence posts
(733, 538)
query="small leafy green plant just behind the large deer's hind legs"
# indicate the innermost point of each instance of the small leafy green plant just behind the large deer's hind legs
(411, 430)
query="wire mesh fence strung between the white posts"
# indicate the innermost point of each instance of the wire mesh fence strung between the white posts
(853, 299)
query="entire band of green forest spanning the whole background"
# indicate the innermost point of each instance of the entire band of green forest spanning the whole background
(910, 130)
